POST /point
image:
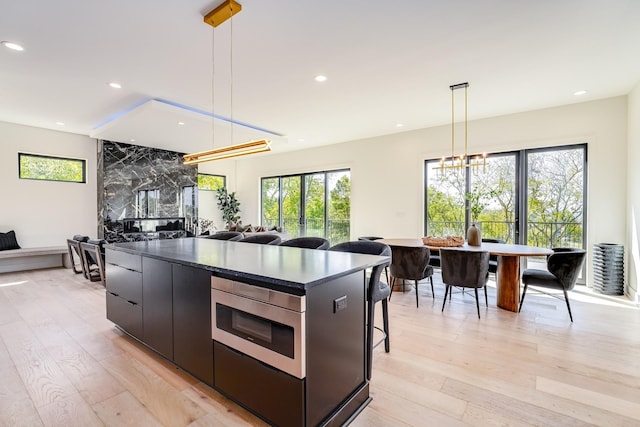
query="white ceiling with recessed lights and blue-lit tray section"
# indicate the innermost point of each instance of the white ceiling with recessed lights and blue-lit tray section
(386, 62)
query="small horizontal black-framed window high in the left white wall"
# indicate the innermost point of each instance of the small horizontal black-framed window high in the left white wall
(50, 168)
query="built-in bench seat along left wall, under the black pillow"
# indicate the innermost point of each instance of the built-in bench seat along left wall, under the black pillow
(34, 258)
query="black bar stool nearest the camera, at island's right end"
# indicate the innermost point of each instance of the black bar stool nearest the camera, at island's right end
(376, 291)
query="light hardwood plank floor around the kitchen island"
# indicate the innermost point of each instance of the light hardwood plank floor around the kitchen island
(62, 363)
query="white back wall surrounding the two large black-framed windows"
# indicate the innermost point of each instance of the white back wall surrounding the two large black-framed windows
(387, 177)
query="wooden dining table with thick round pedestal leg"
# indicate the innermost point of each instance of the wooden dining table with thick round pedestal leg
(508, 274)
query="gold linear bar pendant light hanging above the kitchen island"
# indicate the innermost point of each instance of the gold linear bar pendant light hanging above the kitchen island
(217, 16)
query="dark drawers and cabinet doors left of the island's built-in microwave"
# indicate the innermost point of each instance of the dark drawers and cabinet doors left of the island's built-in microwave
(165, 305)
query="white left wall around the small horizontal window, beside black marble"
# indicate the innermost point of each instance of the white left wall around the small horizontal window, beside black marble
(45, 213)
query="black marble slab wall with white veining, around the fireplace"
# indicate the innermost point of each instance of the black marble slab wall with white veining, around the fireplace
(125, 169)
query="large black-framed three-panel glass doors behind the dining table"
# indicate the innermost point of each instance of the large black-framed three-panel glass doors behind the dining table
(535, 197)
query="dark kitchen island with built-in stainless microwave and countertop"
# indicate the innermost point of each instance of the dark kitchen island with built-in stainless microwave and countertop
(279, 330)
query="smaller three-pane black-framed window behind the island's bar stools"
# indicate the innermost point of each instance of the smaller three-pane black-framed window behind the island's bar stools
(312, 204)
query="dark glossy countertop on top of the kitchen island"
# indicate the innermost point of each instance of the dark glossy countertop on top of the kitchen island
(263, 265)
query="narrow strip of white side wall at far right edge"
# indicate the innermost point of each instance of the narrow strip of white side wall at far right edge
(633, 195)
